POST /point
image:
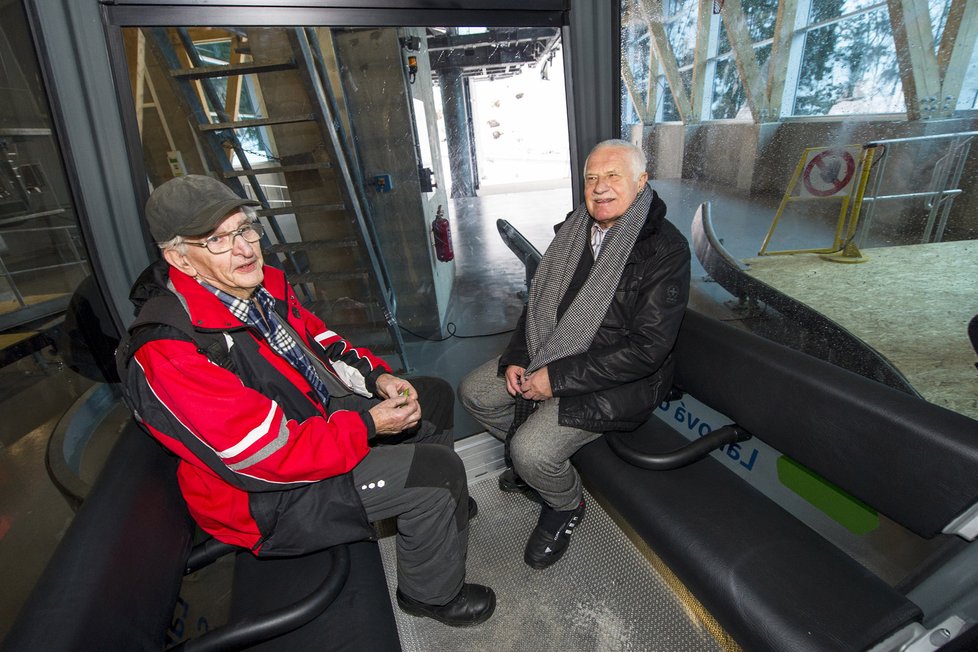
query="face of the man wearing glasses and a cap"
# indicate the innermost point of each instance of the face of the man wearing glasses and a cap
(238, 271)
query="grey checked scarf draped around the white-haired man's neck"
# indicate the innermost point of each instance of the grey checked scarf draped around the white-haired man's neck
(546, 338)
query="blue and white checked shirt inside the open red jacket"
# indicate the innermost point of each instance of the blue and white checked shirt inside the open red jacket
(270, 327)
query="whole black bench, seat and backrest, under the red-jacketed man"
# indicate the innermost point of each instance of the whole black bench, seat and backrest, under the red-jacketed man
(113, 582)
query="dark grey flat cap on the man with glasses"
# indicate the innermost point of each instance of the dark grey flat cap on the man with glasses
(190, 205)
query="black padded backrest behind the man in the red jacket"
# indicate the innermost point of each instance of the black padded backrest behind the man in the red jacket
(114, 579)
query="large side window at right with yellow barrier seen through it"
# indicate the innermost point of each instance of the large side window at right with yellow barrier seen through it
(825, 79)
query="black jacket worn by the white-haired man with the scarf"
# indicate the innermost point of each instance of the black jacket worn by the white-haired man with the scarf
(627, 370)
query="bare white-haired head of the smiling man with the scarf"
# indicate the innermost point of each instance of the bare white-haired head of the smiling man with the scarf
(610, 184)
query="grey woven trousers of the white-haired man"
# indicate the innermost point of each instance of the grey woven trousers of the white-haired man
(541, 448)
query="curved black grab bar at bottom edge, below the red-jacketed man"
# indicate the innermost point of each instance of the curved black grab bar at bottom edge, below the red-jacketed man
(255, 629)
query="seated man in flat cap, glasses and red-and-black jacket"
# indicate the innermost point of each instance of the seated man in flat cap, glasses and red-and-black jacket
(285, 431)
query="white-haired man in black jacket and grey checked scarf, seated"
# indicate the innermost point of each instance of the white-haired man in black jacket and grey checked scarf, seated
(592, 351)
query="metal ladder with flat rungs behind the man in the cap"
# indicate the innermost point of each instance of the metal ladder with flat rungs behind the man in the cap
(220, 136)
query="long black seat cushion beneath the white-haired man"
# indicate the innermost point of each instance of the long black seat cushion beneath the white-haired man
(771, 582)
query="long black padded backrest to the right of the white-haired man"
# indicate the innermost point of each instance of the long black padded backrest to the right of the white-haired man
(913, 461)
